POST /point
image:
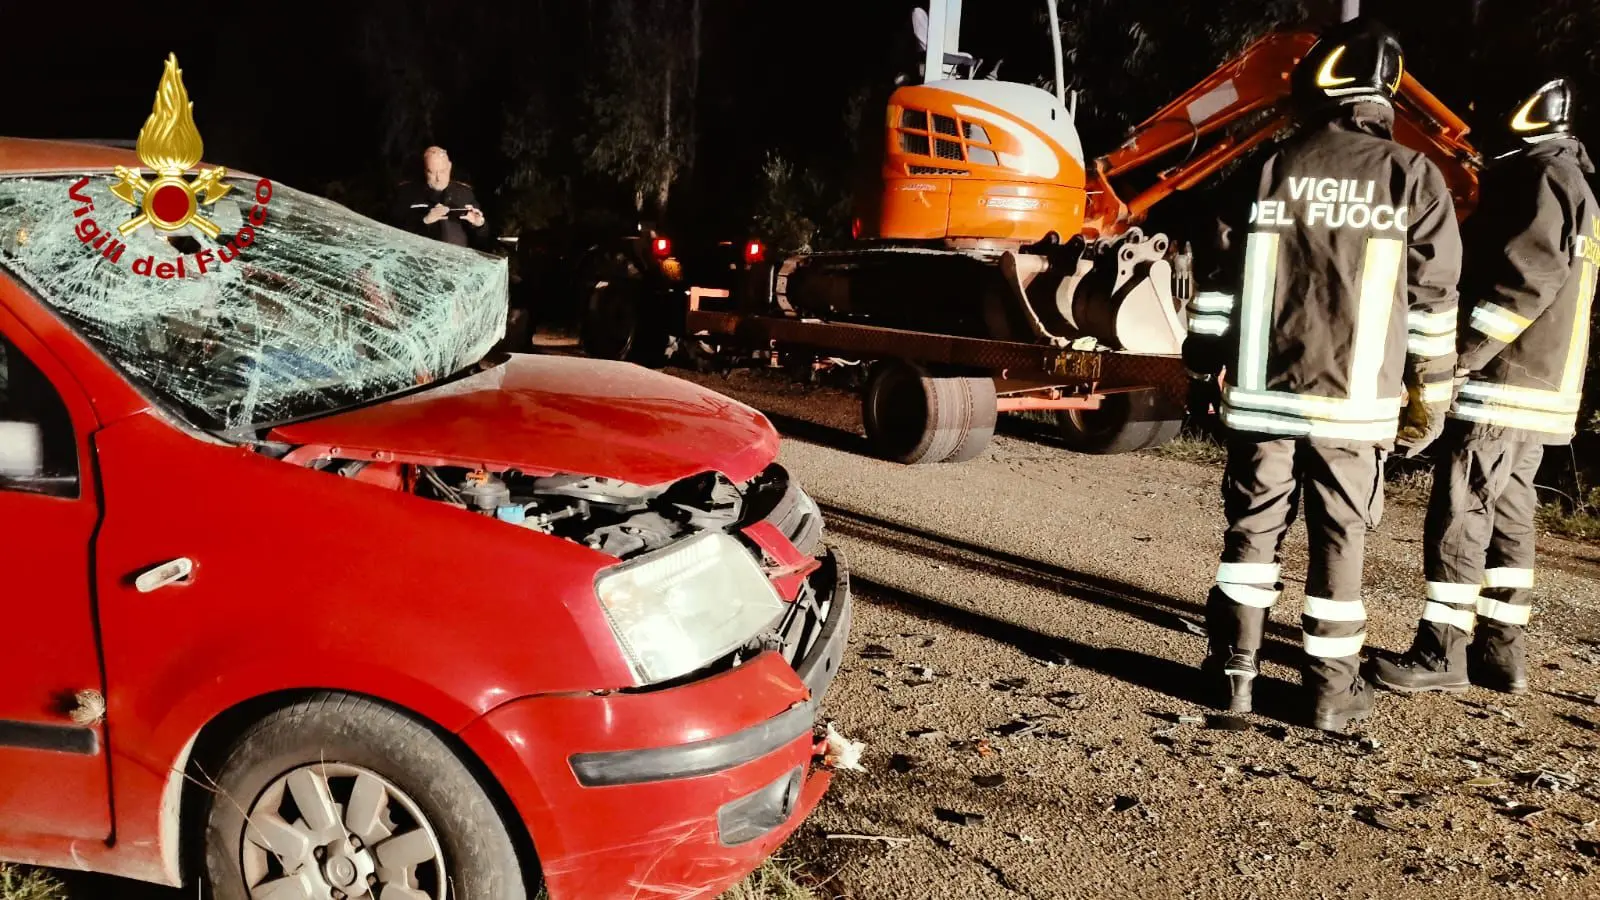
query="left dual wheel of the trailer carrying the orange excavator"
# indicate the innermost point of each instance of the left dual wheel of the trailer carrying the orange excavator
(914, 417)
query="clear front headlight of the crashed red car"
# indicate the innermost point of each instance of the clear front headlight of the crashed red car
(682, 608)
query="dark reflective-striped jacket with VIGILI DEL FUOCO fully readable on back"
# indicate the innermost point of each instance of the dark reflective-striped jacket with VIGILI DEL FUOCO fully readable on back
(1338, 289)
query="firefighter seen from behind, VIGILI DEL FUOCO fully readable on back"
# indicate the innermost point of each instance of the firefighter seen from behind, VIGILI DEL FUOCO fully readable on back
(1338, 321)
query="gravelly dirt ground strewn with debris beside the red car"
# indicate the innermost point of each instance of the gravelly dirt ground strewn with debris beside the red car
(1038, 728)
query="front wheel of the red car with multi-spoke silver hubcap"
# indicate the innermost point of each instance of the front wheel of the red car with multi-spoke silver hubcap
(354, 749)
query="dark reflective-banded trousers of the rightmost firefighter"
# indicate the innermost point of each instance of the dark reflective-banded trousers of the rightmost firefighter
(1479, 540)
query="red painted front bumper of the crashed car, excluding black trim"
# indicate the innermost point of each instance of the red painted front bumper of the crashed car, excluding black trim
(655, 840)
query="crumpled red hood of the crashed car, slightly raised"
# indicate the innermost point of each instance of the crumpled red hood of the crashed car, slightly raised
(559, 416)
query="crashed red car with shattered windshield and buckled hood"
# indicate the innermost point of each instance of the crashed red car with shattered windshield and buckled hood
(310, 595)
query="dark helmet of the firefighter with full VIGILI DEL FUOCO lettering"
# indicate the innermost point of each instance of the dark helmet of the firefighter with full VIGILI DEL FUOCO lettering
(1356, 60)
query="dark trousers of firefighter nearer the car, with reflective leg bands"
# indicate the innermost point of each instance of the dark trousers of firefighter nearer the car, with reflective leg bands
(1262, 492)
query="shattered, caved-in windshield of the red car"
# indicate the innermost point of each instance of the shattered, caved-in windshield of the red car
(306, 311)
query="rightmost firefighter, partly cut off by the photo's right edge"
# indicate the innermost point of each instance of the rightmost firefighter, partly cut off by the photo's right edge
(1527, 299)
